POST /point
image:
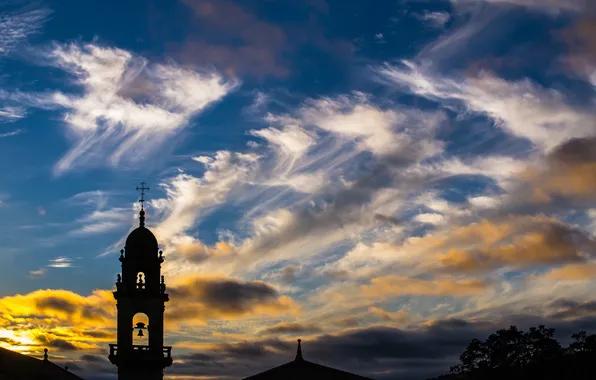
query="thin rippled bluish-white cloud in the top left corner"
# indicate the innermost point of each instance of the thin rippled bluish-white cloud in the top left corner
(17, 26)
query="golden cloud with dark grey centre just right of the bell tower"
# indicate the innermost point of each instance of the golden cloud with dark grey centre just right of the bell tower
(202, 298)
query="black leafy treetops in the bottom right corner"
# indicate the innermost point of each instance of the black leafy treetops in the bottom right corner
(535, 354)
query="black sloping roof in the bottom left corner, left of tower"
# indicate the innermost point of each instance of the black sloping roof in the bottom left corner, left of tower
(15, 366)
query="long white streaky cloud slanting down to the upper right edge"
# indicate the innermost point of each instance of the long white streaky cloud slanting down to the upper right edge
(522, 109)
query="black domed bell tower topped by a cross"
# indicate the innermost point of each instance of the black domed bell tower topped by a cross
(141, 289)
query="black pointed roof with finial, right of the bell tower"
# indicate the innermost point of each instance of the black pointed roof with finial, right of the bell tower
(303, 369)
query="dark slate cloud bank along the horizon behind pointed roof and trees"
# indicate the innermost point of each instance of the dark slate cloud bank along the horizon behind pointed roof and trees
(378, 352)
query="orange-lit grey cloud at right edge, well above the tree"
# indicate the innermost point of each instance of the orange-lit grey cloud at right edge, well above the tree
(516, 242)
